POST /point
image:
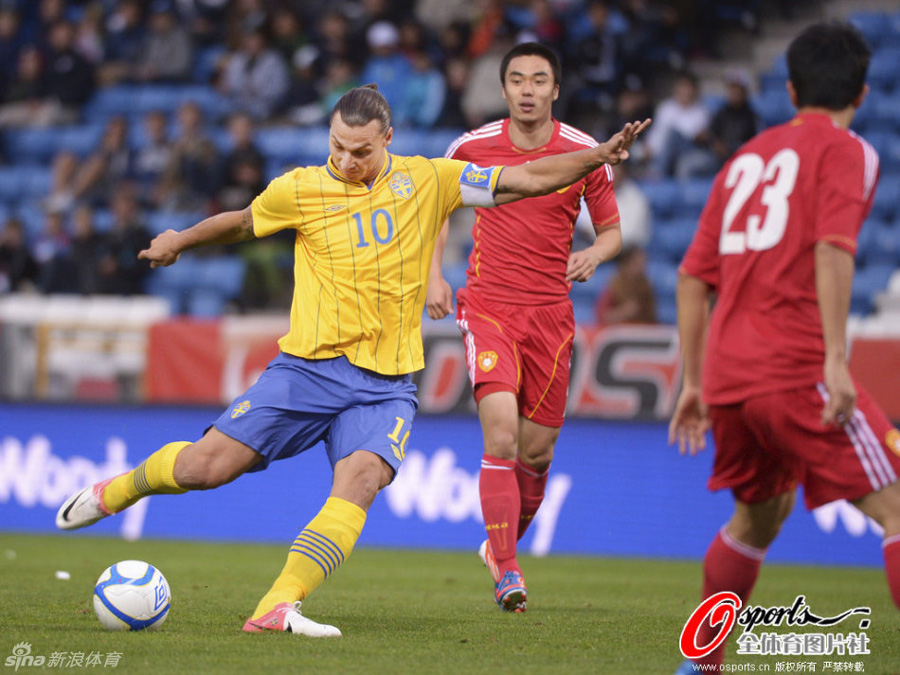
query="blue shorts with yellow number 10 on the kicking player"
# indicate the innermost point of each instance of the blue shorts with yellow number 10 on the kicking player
(298, 402)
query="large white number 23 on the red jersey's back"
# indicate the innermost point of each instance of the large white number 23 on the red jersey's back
(747, 172)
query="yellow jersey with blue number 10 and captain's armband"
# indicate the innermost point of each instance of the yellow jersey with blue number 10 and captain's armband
(363, 254)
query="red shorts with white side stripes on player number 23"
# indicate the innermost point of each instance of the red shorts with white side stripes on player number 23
(768, 444)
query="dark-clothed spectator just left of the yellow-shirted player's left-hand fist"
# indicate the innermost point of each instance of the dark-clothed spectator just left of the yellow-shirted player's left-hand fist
(120, 271)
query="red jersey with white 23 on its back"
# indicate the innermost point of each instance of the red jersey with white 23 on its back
(788, 188)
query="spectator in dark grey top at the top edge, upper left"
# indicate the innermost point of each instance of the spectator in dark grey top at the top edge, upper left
(167, 52)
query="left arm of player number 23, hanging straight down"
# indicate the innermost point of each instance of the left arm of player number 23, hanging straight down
(689, 420)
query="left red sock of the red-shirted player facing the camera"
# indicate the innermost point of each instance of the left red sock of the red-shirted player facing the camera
(500, 507)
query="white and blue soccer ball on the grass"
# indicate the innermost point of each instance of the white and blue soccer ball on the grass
(131, 595)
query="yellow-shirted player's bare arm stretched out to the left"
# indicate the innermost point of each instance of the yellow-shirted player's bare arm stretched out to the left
(225, 228)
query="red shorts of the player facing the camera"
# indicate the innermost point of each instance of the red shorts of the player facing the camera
(522, 349)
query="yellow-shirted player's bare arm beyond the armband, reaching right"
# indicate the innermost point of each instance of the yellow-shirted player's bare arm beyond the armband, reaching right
(545, 175)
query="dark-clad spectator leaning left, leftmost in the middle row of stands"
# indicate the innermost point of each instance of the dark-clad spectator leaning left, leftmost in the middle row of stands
(93, 180)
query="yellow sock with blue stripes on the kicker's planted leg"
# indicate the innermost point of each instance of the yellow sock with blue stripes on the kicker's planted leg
(317, 552)
